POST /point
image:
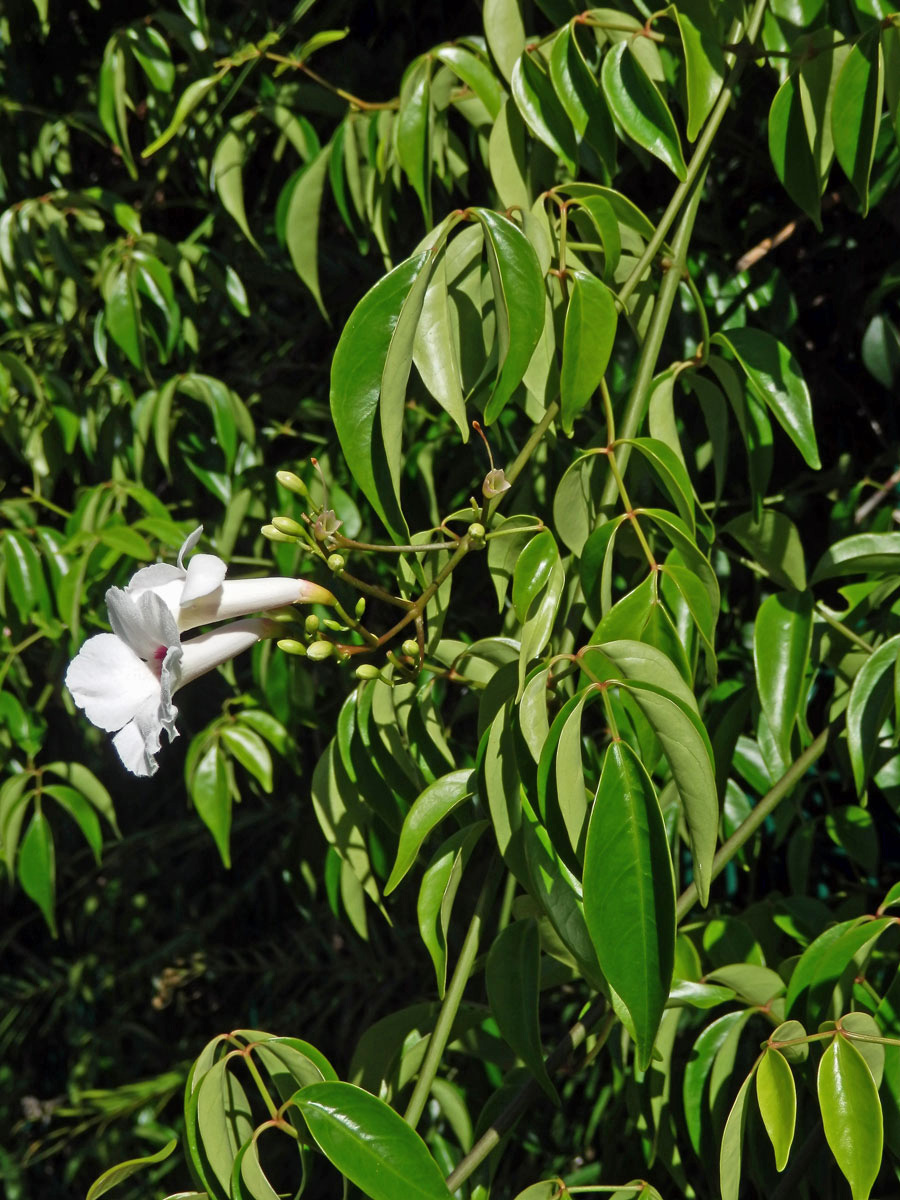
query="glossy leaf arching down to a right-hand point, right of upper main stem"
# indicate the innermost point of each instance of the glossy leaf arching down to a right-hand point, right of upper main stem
(776, 379)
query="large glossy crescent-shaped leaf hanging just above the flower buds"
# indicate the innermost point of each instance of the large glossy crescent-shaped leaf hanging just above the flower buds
(357, 374)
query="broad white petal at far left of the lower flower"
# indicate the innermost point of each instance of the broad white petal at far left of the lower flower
(111, 682)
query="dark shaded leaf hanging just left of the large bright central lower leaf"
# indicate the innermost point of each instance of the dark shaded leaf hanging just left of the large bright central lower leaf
(513, 982)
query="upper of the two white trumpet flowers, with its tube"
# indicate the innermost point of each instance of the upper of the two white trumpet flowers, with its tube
(199, 595)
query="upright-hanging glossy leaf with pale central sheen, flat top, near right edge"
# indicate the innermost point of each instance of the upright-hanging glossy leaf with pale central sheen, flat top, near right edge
(783, 637)
